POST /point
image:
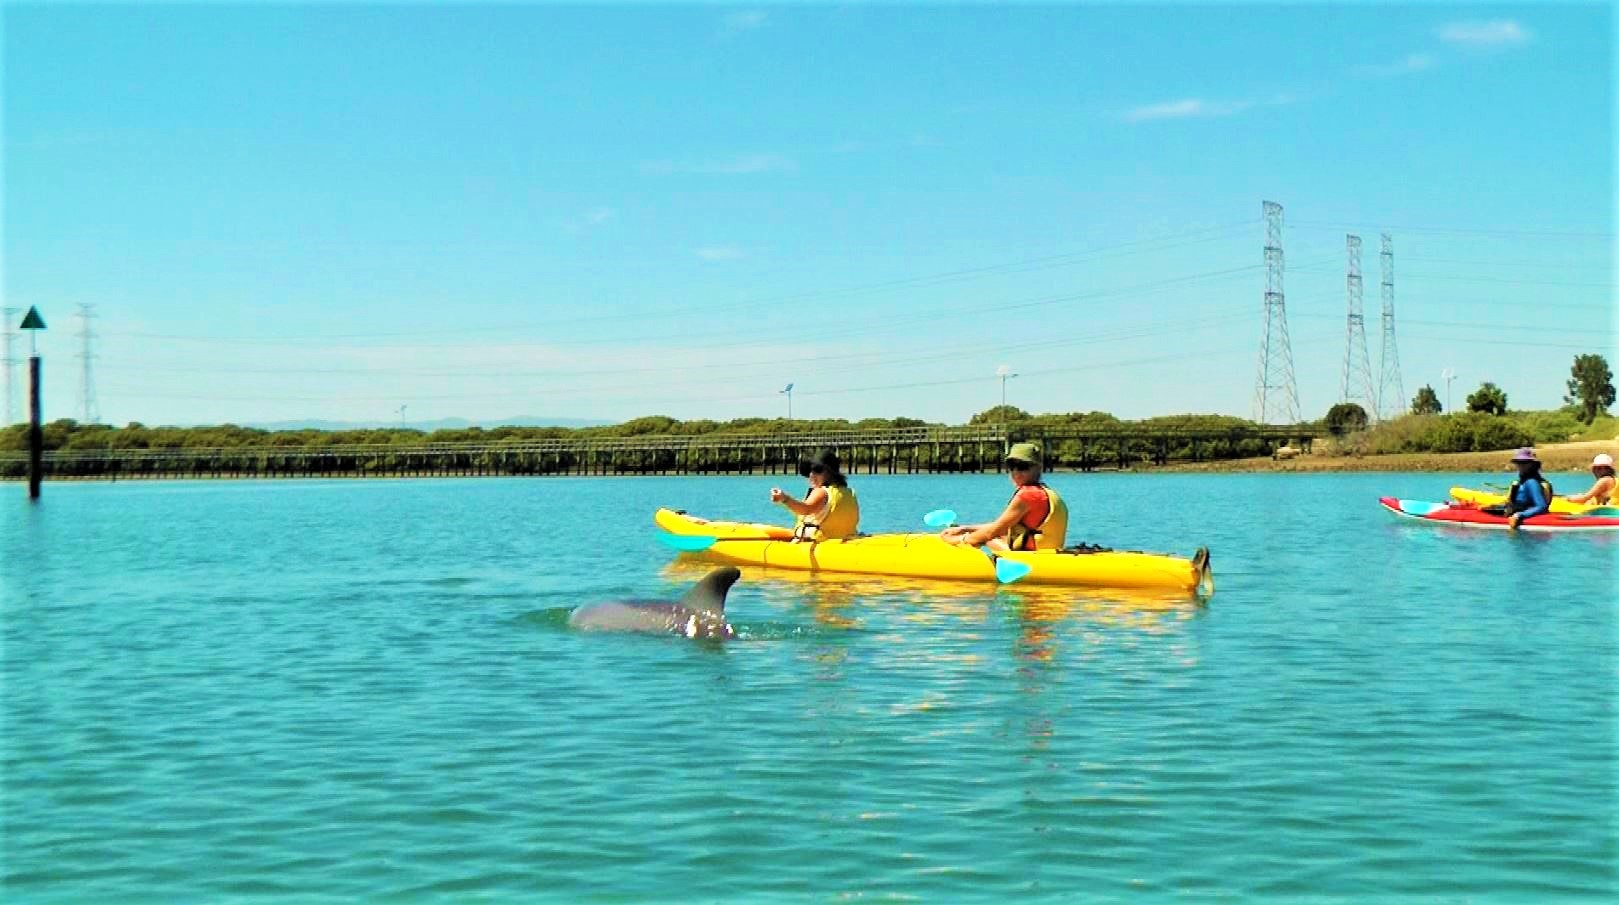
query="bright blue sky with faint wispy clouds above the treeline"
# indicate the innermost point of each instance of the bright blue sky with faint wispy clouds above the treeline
(310, 211)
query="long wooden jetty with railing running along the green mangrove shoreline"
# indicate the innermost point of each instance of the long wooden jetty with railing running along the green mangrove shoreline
(870, 452)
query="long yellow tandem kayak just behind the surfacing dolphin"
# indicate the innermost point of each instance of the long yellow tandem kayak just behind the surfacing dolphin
(927, 556)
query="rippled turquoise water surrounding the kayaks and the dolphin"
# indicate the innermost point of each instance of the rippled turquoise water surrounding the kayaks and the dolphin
(367, 690)
